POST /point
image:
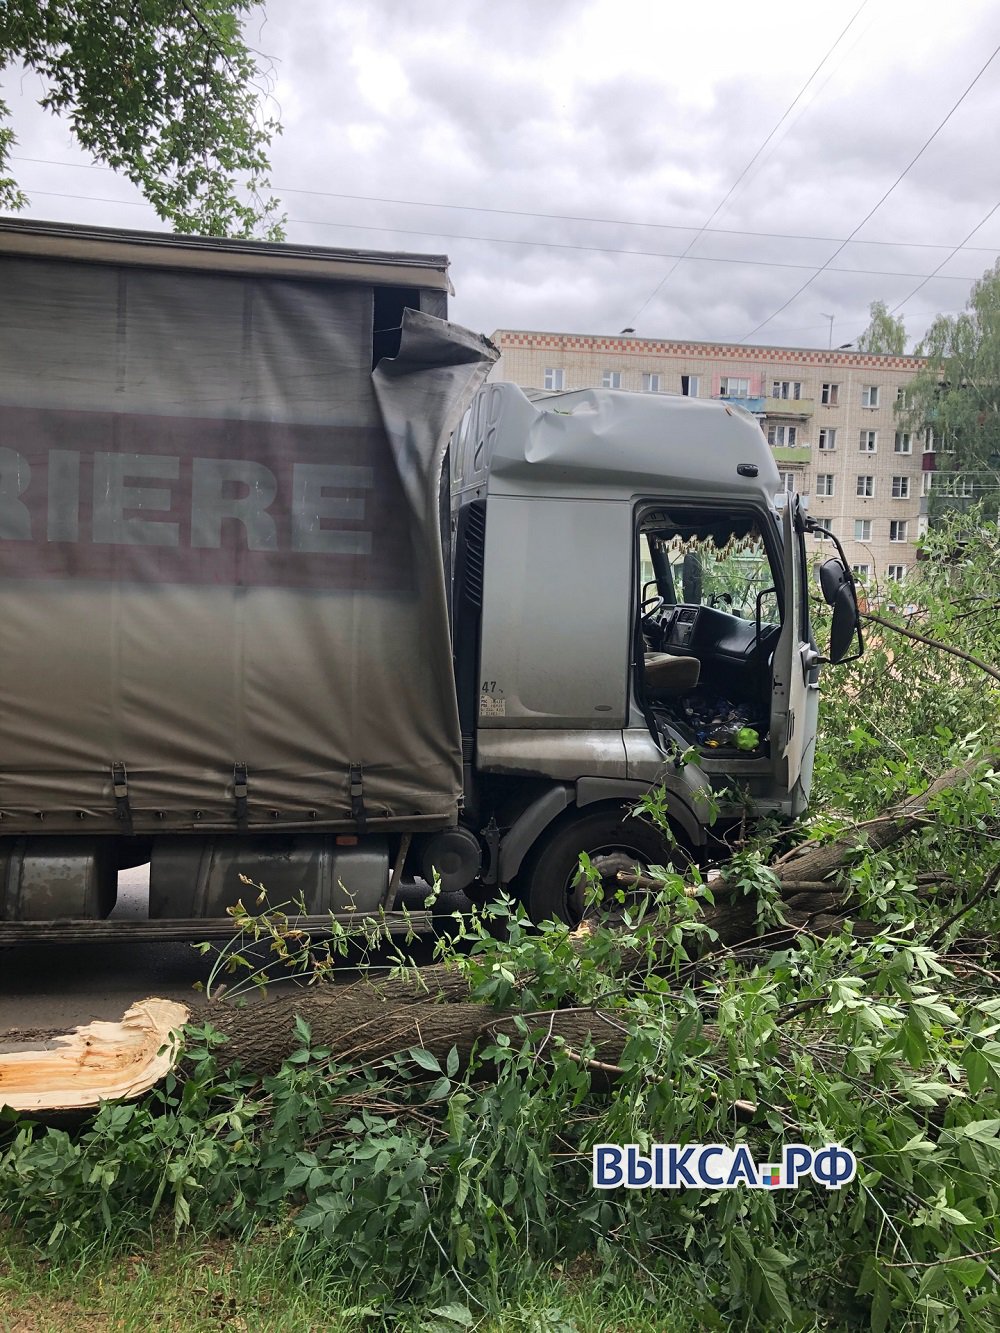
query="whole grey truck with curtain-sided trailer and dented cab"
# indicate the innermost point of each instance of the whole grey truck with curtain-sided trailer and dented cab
(293, 593)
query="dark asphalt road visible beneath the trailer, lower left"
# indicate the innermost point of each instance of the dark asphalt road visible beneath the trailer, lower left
(59, 987)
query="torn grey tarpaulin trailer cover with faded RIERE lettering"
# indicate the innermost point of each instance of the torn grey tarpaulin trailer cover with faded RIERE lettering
(221, 547)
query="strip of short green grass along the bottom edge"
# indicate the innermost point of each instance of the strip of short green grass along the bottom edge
(231, 1288)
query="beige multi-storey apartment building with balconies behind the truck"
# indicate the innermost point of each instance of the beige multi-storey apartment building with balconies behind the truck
(829, 417)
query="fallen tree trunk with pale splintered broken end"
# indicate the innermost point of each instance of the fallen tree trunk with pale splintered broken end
(434, 1008)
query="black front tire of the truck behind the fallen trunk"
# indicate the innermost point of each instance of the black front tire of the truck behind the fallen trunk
(551, 884)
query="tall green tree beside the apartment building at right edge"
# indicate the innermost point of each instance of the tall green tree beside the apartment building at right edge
(958, 393)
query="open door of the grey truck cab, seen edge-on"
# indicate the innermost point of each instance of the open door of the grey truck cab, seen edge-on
(795, 674)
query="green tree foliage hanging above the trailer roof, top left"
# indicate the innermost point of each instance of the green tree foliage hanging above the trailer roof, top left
(166, 93)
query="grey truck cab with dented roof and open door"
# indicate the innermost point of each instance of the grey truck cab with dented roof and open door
(631, 610)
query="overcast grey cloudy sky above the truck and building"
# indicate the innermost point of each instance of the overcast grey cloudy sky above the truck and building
(633, 121)
